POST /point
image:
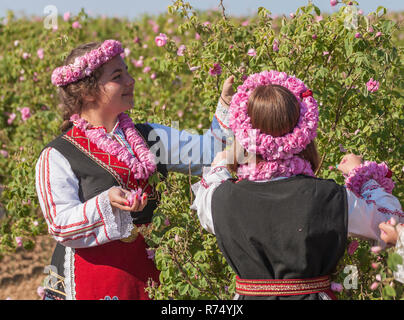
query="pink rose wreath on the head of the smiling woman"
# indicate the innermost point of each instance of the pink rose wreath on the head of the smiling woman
(85, 65)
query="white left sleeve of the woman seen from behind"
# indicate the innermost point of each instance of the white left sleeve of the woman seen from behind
(204, 189)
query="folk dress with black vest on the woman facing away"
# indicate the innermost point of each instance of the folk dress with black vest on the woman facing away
(287, 228)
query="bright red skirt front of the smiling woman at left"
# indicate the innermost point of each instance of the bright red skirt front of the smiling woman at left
(115, 270)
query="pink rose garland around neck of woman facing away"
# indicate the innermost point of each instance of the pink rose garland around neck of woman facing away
(266, 170)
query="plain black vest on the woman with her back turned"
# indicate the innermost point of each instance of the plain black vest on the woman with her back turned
(286, 229)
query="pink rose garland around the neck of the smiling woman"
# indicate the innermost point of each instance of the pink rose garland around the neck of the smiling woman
(143, 166)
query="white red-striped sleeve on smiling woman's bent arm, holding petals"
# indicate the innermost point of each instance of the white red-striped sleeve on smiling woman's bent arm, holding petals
(70, 221)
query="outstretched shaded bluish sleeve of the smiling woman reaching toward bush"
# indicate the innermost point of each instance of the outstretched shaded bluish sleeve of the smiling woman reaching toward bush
(185, 150)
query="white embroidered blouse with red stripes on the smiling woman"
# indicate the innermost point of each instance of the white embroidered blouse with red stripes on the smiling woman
(94, 222)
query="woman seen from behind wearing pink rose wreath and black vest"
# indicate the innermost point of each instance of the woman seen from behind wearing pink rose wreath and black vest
(281, 229)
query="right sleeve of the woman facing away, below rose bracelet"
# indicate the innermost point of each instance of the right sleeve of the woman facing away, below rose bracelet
(373, 207)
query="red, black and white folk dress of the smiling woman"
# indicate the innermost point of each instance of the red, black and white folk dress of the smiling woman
(99, 252)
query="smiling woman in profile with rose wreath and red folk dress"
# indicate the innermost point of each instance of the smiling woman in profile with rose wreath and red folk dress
(92, 180)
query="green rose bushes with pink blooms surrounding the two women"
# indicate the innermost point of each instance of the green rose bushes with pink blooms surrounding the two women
(179, 61)
